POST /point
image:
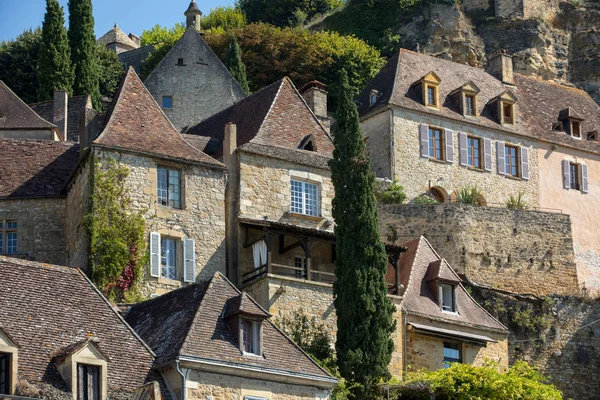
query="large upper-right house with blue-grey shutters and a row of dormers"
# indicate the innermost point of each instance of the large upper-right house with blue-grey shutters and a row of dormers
(436, 126)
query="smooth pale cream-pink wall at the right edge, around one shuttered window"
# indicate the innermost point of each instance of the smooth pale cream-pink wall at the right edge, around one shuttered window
(583, 207)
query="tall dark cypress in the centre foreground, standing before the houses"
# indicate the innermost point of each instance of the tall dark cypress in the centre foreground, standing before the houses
(364, 313)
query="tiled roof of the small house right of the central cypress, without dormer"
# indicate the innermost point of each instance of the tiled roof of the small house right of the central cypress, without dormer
(419, 298)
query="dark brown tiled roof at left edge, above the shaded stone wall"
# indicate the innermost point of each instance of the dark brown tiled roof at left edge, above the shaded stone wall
(36, 168)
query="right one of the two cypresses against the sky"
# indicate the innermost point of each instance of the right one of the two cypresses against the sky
(83, 50)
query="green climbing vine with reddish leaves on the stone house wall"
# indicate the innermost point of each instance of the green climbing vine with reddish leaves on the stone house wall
(117, 253)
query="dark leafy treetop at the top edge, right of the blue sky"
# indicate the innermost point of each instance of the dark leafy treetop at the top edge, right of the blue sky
(281, 12)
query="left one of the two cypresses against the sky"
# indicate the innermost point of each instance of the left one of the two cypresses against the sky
(54, 62)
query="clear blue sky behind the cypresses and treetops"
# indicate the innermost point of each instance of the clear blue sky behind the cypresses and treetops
(131, 15)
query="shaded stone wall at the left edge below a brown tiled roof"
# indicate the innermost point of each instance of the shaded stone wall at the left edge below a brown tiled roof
(41, 232)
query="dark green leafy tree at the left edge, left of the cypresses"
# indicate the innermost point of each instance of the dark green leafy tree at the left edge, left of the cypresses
(18, 64)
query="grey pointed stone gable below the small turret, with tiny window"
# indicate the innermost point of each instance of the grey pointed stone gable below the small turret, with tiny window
(196, 80)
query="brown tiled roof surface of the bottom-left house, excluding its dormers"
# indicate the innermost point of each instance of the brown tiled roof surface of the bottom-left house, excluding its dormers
(48, 308)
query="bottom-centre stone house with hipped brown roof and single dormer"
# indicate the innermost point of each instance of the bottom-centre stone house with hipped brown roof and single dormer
(223, 345)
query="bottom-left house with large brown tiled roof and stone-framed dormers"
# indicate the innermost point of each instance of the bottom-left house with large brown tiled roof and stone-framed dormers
(65, 339)
